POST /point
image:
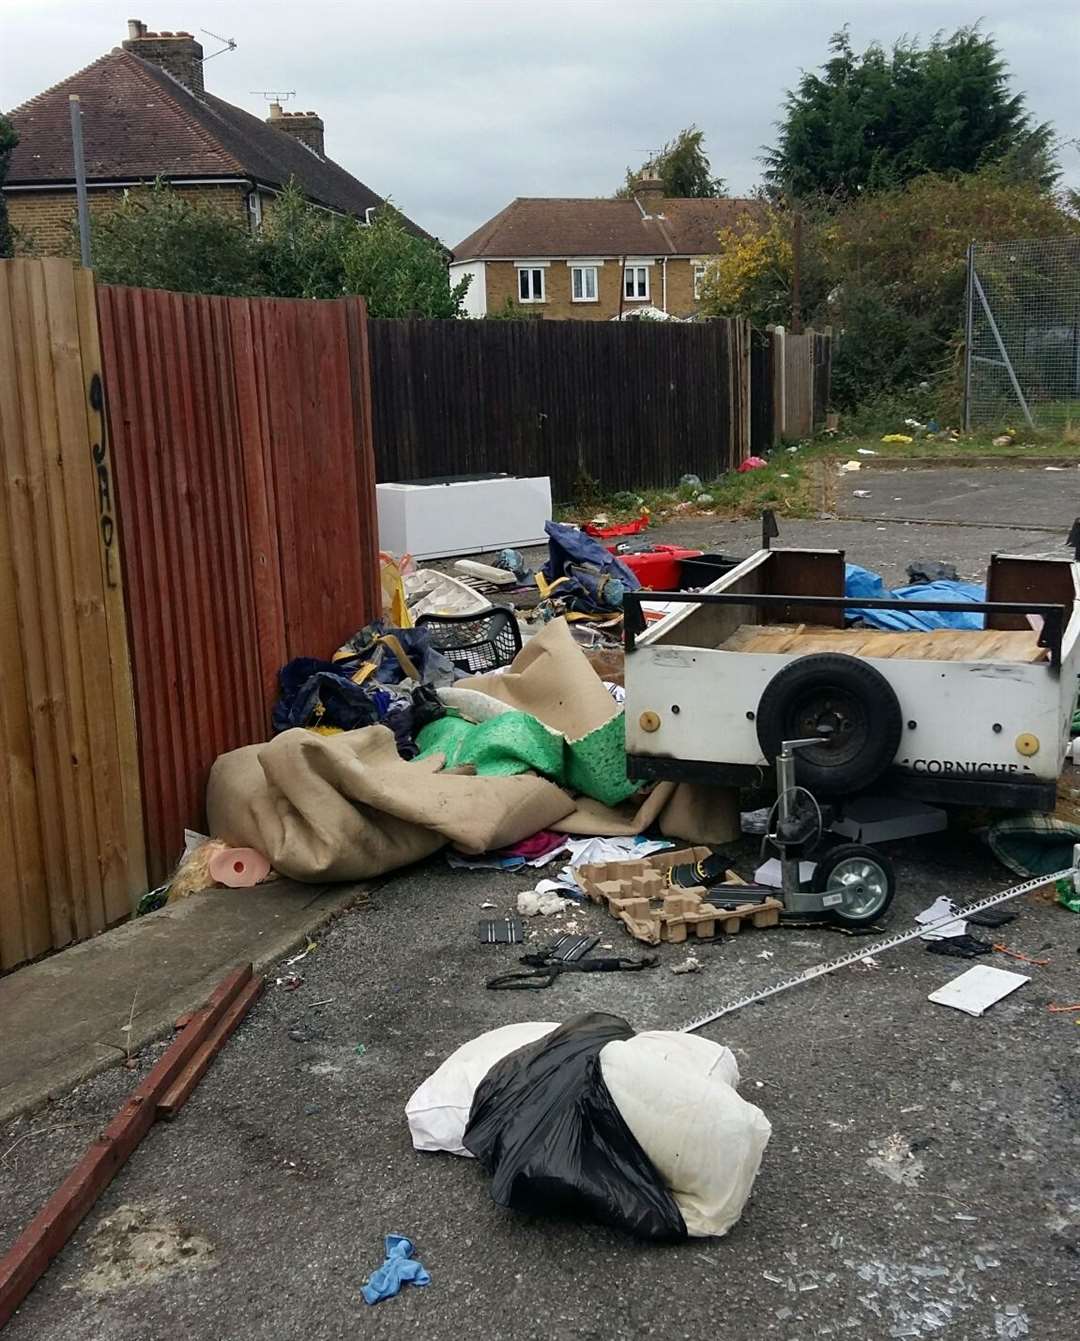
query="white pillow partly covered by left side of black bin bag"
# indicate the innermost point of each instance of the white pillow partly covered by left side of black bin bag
(439, 1110)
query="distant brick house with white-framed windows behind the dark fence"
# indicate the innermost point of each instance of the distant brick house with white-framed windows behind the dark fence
(595, 259)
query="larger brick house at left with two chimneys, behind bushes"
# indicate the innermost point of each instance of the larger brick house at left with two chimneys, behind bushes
(148, 116)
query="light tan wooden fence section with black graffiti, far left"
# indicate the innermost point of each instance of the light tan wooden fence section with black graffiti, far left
(72, 848)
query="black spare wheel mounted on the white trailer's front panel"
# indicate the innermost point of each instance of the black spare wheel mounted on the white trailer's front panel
(839, 698)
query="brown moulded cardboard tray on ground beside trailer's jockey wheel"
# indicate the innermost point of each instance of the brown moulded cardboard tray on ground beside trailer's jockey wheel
(638, 894)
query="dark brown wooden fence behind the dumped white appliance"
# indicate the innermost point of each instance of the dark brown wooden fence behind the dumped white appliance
(630, 404)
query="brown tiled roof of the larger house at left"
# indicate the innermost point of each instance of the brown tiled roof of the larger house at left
(140, 124)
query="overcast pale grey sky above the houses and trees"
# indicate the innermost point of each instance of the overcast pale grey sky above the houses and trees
(453, 108)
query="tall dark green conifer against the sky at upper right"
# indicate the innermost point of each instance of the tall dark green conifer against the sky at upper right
(878, 120)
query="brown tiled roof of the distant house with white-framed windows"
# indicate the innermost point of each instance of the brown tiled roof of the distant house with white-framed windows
(591, 227)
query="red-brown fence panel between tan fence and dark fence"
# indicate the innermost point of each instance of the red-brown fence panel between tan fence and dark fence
(242, 447)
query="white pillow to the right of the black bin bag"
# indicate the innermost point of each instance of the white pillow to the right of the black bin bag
(677, 1095)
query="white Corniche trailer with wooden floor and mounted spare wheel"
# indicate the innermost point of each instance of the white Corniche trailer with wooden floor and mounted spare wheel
(765, 658)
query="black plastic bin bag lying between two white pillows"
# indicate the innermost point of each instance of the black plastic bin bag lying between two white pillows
(547, 1130)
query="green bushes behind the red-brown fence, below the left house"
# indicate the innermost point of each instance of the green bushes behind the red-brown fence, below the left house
(160, 239)
